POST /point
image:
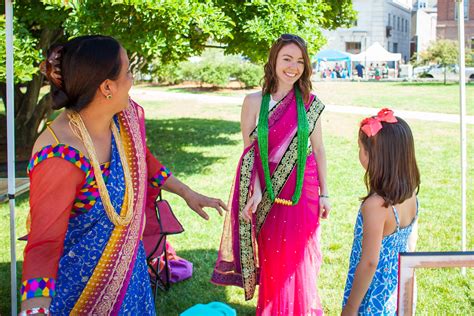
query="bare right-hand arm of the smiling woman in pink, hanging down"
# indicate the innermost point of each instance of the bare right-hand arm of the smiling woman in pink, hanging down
(316, 139)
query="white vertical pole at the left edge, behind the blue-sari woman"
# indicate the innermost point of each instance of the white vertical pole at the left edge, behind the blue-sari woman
(11, 148)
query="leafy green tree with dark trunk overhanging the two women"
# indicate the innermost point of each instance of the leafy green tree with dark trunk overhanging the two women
(155, 32)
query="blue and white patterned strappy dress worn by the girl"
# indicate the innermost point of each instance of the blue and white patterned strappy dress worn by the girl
(381, 297)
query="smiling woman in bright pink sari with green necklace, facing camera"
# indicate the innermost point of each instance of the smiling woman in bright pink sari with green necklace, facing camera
(271, 235)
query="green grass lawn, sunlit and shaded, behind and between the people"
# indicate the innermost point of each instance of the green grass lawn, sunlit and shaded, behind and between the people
(202, 143)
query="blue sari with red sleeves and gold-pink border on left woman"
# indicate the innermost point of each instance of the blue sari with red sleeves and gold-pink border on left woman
(75, 254)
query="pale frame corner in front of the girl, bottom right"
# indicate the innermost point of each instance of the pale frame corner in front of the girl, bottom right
(409, 261)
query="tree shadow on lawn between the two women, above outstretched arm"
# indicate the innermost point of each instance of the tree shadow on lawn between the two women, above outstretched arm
(169, 139)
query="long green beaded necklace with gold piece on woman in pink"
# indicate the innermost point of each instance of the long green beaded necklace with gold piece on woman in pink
(302, 134)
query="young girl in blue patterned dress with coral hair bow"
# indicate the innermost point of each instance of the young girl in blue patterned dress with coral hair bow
(387, 215)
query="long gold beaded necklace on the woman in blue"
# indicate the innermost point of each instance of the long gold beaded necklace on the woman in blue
(79, 129)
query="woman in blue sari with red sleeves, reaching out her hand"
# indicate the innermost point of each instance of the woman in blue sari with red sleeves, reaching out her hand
(90, 174)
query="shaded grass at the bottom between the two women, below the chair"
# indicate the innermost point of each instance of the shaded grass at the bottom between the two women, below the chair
(198, 289)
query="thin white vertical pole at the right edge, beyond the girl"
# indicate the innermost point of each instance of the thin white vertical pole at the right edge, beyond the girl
(462, 103)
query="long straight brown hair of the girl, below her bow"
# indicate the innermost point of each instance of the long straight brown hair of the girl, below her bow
(392, 172)
